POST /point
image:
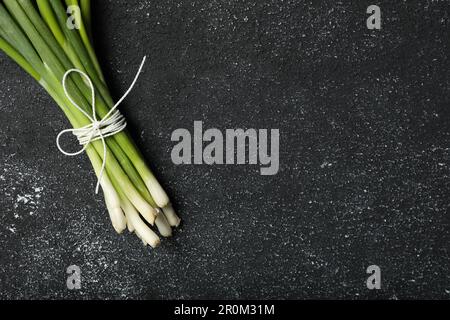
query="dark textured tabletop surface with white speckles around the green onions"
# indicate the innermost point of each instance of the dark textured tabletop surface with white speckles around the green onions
(365, 155)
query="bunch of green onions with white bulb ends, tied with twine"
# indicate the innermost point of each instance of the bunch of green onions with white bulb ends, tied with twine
(34, 33)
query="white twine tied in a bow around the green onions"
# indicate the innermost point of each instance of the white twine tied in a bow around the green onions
(112, 123)
